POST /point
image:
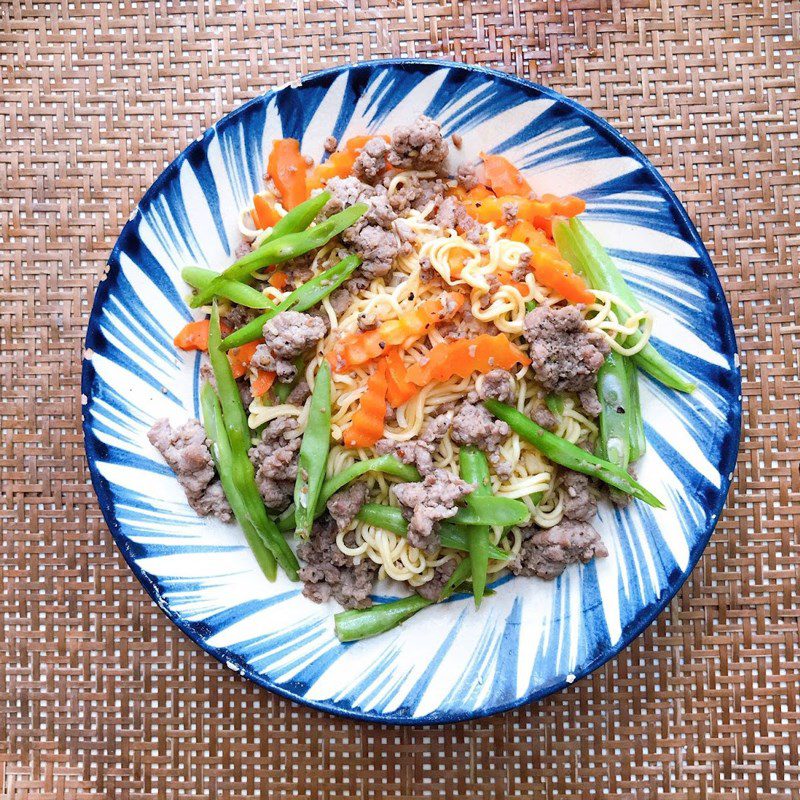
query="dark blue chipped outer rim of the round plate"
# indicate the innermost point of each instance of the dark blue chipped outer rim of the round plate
(729, 446)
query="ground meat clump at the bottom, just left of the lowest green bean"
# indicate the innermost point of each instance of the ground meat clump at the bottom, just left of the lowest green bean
(328, 572)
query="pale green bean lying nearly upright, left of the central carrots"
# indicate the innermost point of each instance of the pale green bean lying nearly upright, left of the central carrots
(314, 448)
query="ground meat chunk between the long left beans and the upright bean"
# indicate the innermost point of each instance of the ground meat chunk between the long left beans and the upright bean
(275, 461)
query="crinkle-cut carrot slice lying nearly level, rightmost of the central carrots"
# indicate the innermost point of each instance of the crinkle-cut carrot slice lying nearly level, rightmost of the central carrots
(462, 357)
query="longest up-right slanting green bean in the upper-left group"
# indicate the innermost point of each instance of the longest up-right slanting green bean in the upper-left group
(284, 248)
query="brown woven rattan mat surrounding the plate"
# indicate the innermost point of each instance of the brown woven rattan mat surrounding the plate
(100, 695)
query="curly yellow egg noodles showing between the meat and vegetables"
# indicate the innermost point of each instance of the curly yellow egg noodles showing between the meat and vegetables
(401, 291)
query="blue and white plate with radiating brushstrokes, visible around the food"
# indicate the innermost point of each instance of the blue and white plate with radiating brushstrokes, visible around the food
(450, 662)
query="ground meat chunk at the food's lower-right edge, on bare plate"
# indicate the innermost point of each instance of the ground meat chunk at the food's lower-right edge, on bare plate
(547, 553)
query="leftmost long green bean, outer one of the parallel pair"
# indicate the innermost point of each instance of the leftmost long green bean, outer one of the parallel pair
(223, 460)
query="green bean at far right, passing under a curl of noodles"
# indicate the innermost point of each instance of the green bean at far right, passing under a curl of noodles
(590, 259)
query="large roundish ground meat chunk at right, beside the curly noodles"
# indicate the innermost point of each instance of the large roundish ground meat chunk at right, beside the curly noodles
(565, 354)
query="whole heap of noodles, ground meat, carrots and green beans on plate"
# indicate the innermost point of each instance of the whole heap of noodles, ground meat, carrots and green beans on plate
(420, 370)
